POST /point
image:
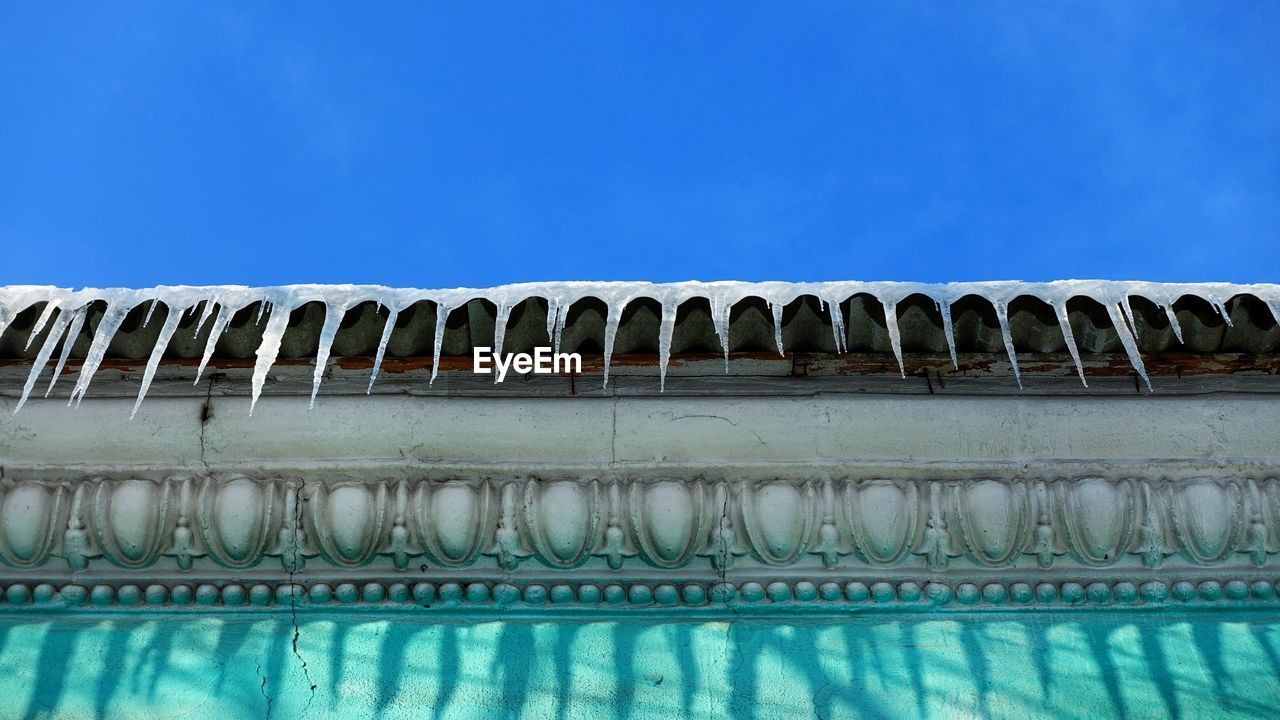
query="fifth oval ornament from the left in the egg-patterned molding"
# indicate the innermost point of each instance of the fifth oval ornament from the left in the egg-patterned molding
(454, 522)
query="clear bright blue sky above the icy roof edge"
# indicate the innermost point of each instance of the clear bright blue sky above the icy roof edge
(207, 143)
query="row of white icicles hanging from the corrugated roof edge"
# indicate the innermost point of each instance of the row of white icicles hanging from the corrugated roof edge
(72, 308)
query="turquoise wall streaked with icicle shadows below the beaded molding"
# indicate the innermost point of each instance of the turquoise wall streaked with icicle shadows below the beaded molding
(1086, 666)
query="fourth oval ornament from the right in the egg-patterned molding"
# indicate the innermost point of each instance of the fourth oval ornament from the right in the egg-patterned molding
(883, 518)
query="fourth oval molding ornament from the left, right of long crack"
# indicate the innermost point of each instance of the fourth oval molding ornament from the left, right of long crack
(349, 522)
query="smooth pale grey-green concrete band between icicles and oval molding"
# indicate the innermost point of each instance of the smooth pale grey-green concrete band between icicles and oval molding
(616, 432)
